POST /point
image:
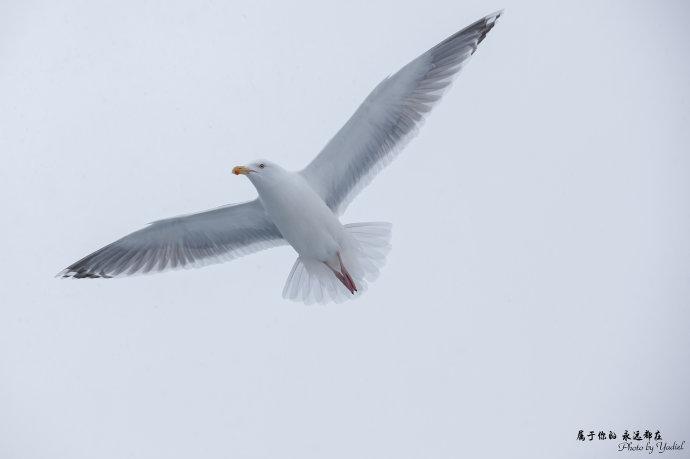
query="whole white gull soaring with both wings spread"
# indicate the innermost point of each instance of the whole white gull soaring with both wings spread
(335, 261)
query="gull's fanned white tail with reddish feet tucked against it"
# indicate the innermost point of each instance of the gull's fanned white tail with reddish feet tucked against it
(362, 256)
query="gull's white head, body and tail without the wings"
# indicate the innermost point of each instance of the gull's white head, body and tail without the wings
(328, 251)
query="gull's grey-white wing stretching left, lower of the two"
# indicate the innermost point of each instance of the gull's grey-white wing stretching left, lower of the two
(187, 241)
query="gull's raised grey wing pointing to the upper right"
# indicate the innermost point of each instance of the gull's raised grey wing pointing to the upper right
(389, 117)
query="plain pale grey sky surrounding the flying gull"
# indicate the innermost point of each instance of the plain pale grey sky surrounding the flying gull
(538, 283)
